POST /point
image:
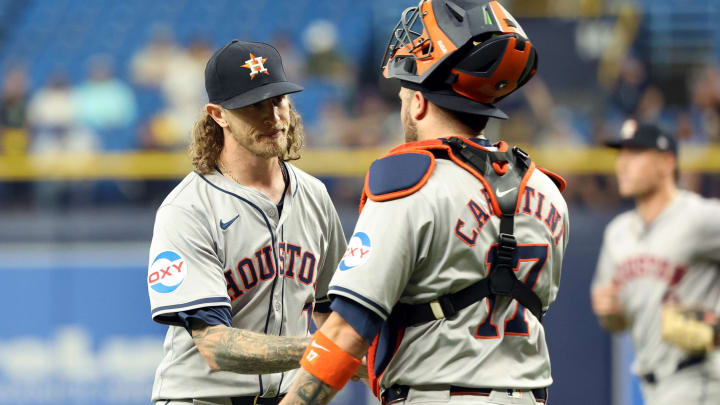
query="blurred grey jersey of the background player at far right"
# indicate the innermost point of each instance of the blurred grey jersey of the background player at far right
(676, 257)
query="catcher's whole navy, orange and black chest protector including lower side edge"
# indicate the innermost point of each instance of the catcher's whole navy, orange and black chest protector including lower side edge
(504, 174)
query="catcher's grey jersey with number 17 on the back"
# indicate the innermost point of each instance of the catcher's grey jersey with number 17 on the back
(440, 240)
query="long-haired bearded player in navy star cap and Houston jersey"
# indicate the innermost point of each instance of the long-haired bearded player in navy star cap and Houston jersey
(244, 247)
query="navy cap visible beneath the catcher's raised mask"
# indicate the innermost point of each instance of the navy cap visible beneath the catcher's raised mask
(444, 96)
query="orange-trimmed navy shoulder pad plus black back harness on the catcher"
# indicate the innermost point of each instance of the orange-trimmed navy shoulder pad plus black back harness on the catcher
(503, 173)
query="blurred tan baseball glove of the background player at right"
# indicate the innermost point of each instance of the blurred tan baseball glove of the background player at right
(695, 331)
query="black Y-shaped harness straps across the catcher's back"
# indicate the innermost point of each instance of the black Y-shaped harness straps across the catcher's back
(501, 280)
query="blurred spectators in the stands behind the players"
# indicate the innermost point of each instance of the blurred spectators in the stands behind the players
(150, 100)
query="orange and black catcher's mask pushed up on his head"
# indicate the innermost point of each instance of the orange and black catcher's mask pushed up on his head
(463, 55)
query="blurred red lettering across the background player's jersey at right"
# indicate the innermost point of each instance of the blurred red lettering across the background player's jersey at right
(642, 266)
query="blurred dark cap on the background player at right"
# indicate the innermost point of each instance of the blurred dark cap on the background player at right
(644, 136)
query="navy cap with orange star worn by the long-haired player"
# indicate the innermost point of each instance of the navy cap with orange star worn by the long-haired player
(243, 73)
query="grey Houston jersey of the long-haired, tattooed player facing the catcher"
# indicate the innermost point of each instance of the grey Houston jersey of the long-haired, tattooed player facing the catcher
(216, 242)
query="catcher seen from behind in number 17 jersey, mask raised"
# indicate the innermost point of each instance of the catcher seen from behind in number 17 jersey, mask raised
(430, 228)
